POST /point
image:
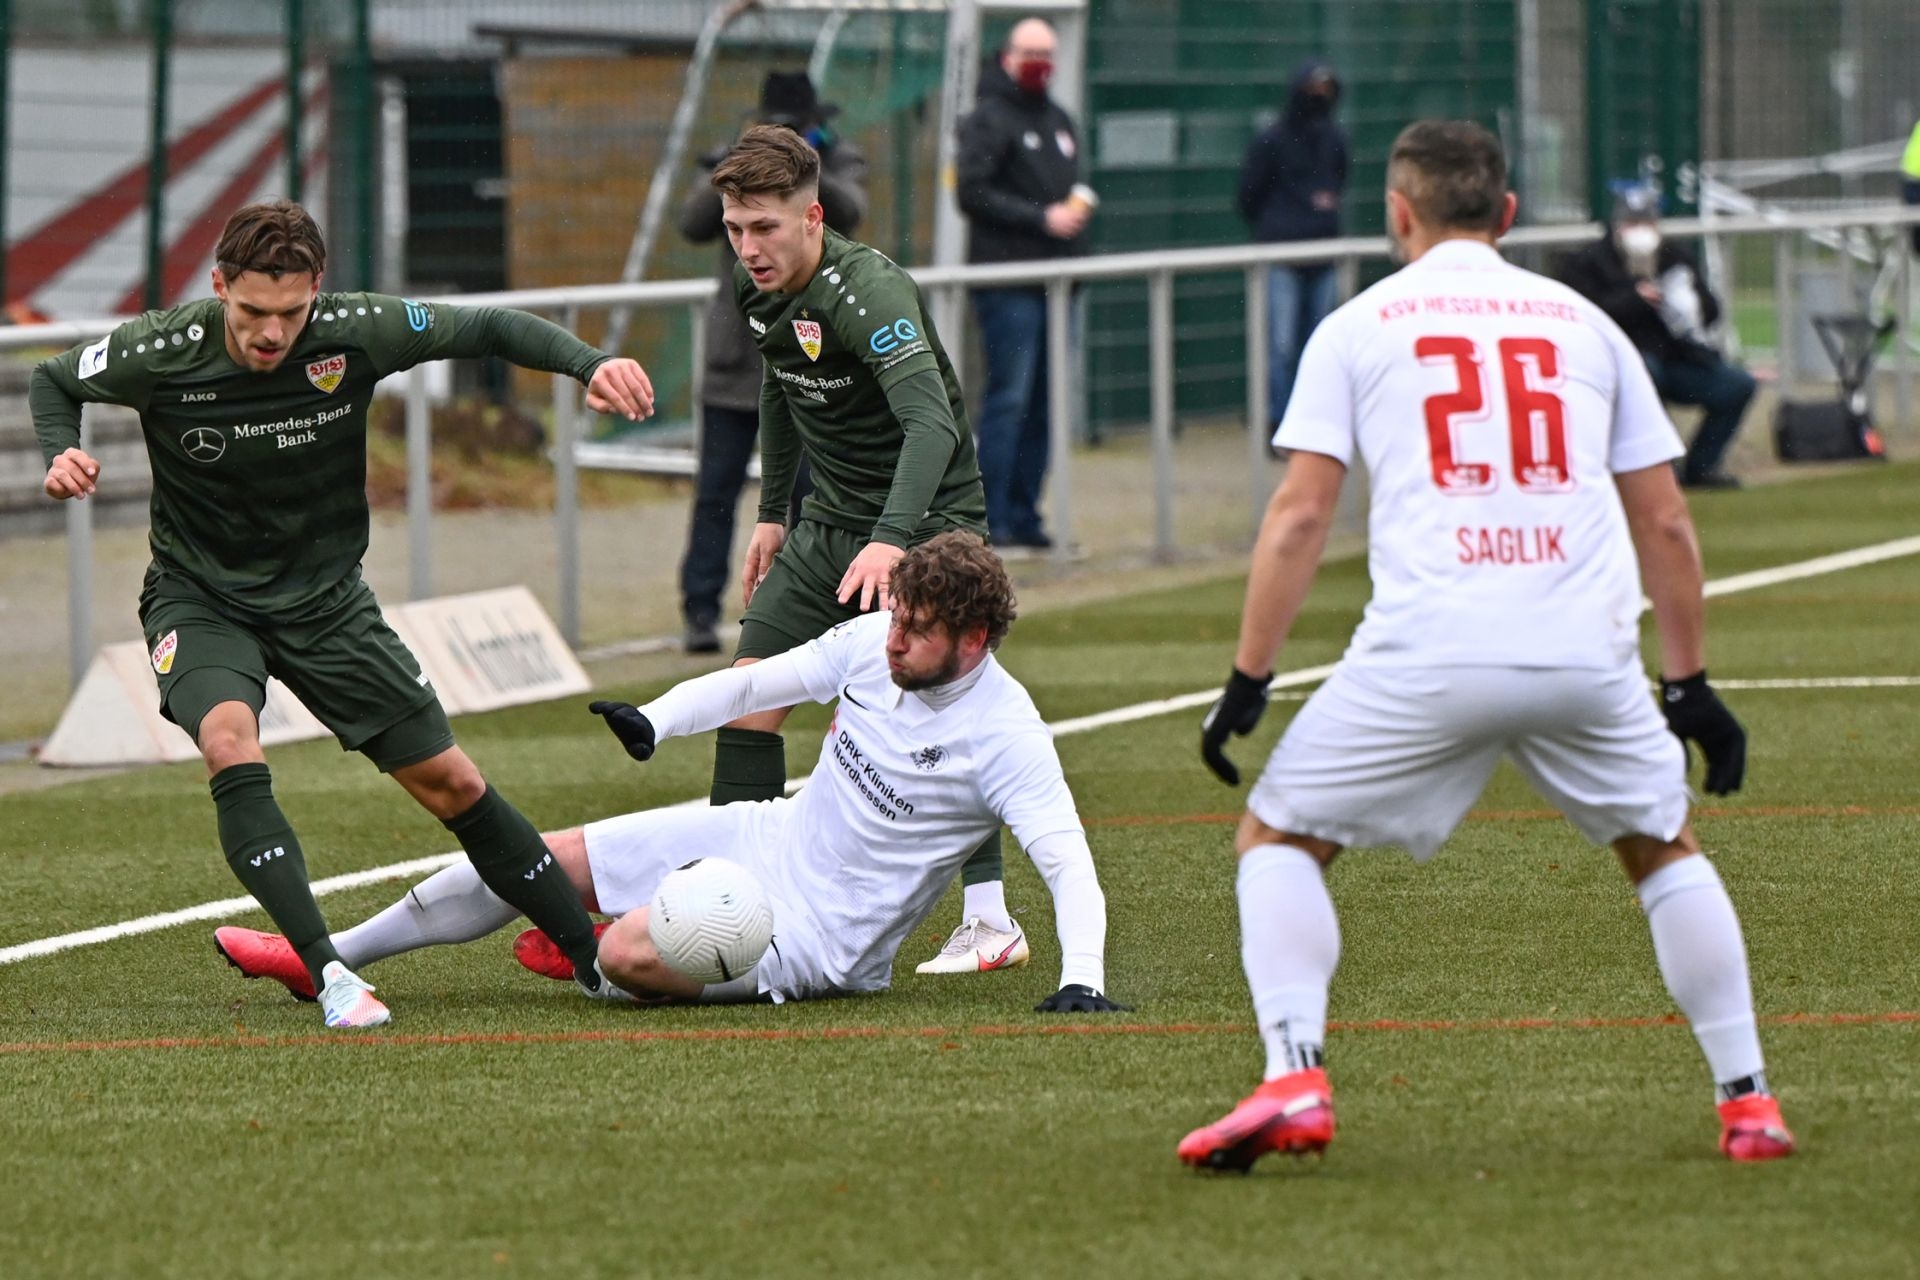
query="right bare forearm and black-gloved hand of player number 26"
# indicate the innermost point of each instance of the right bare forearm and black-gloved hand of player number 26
(1671, 573)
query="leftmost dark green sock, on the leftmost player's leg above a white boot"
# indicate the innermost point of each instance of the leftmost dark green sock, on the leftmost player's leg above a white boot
(262, 851)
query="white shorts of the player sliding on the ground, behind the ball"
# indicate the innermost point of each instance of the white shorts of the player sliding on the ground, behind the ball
(631, 855)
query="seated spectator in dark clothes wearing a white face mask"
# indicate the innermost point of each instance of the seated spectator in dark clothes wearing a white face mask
(1654, 291)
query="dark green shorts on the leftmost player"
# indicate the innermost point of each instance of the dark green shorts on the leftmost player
(347, 667)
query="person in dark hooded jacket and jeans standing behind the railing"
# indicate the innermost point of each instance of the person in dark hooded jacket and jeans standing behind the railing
(1291, 187)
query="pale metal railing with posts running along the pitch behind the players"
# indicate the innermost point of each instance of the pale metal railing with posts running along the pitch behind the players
(946, 287)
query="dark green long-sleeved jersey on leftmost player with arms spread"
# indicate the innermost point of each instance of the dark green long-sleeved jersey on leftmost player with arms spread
(260, 479)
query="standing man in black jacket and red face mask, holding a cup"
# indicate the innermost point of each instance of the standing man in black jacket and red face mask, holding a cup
(1017, 176)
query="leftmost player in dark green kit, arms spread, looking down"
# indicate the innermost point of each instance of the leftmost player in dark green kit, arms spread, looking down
(254, 410)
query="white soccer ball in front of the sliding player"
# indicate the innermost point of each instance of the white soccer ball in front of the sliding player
(711, 920)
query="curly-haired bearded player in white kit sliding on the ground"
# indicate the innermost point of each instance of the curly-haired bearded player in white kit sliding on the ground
(932, 746)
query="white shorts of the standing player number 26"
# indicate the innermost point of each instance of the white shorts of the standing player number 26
(1389, 755)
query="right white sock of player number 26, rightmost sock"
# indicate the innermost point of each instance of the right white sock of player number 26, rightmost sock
(1696, 941)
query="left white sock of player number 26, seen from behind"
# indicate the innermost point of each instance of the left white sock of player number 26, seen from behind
(1289, 945)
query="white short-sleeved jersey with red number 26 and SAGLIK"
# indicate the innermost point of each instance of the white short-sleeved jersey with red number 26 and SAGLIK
(1493, 408)
